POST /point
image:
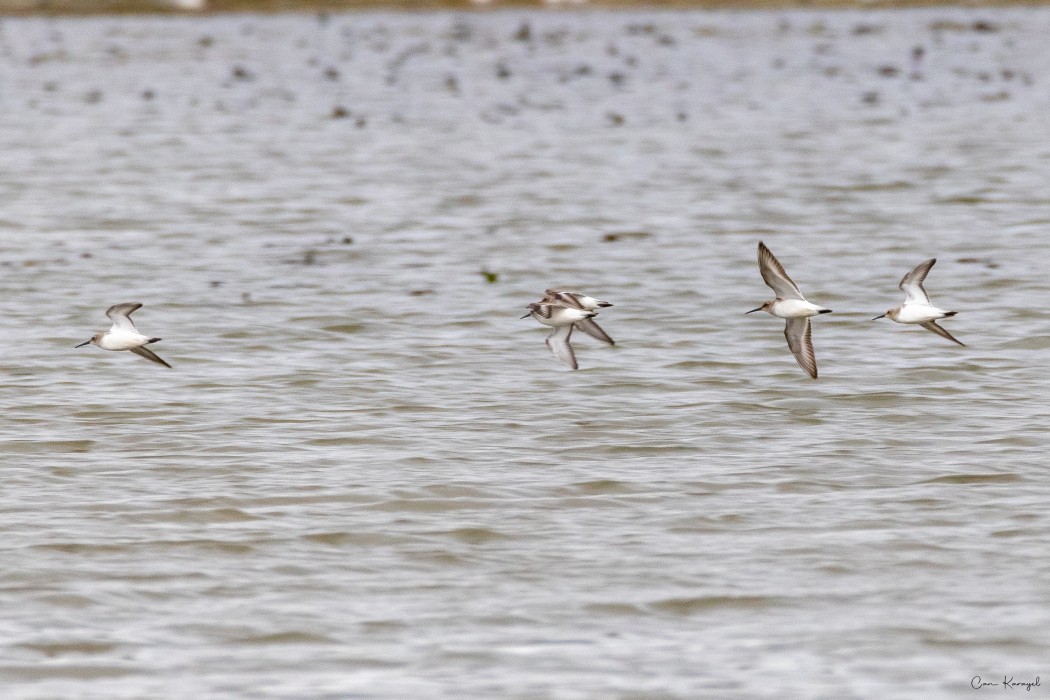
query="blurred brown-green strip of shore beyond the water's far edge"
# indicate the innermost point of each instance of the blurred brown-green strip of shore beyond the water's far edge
(122, 7)
